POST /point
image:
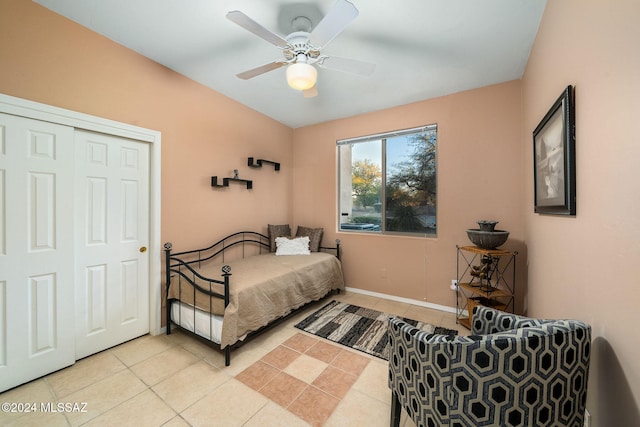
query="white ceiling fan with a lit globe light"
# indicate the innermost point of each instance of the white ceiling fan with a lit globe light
(301, 49)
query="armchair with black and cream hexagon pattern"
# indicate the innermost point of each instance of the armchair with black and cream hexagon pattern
(512, 371)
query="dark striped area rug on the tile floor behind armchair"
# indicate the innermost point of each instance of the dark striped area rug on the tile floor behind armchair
(360, 328)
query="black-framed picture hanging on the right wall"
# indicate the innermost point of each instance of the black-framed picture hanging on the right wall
(554, 158)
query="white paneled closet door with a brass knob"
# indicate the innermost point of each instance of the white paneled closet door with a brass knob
(112, 220)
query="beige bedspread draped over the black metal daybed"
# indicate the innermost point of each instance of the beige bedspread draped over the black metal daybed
(264, 288)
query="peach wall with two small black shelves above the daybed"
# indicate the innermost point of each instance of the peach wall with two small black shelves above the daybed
(50, 59)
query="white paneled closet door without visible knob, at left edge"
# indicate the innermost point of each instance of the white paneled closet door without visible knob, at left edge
(36, 249)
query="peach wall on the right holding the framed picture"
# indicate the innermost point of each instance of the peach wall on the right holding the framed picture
(586, 266)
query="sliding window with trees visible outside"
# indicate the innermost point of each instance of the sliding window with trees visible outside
(387, 182)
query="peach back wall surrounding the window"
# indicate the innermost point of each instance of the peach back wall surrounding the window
(478, 178)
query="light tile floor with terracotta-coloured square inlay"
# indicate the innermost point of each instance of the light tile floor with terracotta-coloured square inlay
(283, 377)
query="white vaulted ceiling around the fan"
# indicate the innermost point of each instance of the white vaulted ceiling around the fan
(423, 48)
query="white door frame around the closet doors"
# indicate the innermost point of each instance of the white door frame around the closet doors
(35, 110)
